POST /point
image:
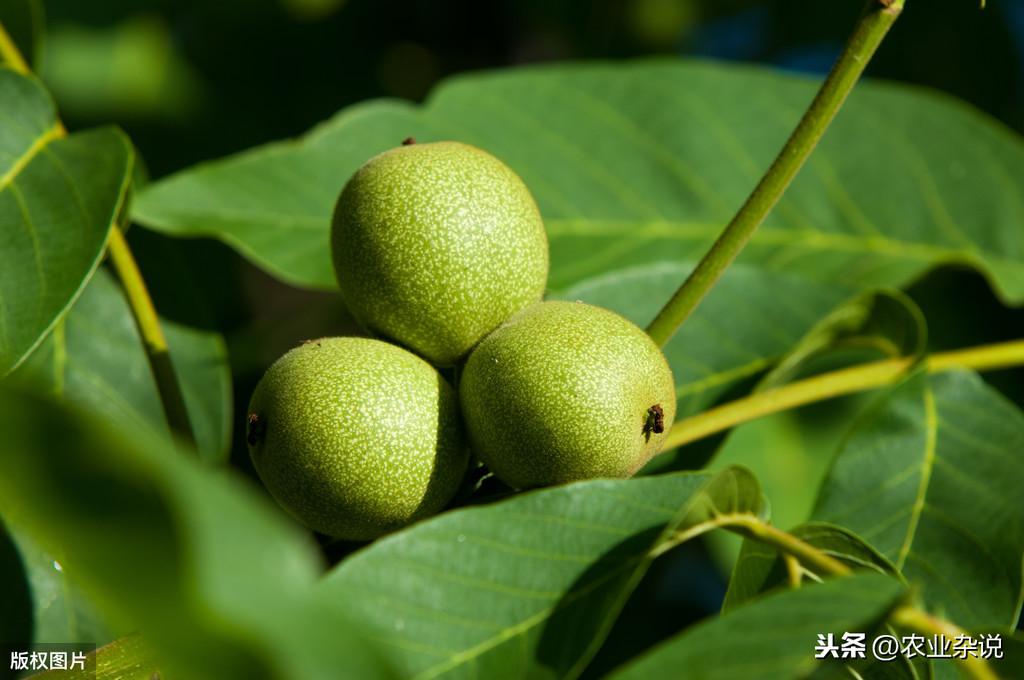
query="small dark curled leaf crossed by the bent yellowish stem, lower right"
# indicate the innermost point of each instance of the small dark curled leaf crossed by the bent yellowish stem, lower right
(760, 568)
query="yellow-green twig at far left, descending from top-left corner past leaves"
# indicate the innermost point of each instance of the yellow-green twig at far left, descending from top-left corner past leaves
(139, 297)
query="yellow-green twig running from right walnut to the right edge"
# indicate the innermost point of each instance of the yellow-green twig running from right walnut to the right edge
(837, 384)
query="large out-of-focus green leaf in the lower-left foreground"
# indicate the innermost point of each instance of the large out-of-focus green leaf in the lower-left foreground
(220, 583)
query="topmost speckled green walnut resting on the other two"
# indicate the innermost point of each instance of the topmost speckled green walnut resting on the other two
(435, 245)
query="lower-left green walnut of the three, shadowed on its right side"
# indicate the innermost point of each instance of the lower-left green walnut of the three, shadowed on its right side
(357, 438)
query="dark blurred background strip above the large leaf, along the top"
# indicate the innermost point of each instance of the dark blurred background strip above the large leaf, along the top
(192, 79)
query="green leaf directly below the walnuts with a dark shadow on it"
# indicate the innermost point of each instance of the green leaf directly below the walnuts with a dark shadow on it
(528, 587)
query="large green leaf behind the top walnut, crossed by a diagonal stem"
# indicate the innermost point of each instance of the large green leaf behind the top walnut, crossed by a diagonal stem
(645, 162)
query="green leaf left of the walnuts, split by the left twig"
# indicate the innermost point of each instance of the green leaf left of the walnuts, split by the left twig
(96, 359)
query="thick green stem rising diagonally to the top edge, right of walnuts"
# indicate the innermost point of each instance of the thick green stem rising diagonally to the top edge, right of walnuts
(860, 49)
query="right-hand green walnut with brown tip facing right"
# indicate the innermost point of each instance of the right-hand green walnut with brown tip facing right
(566, 392)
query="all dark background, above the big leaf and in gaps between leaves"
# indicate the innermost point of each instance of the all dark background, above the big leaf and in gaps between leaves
(192, 80)
